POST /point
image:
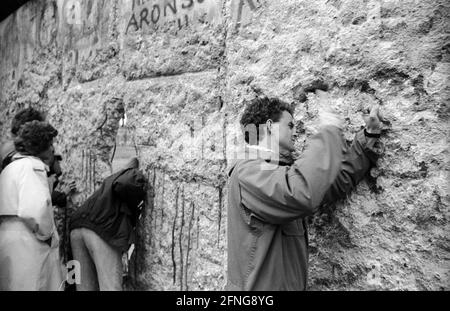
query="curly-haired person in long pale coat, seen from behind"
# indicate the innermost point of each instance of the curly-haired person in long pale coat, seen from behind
(29, 253)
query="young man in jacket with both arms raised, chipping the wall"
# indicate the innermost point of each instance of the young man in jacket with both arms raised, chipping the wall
(270, 194)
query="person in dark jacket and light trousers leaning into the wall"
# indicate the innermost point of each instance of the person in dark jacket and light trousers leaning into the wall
(102, 228)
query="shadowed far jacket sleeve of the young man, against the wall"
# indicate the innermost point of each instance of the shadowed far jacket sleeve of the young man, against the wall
(359, 158)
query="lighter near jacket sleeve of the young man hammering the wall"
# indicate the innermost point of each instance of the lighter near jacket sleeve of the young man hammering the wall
(281, 194)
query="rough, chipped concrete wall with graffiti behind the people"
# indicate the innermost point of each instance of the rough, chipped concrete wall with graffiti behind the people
(180, 71)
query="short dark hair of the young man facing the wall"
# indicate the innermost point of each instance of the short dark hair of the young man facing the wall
(258, 111)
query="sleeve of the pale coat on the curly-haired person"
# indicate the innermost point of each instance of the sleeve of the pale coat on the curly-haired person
(34, 202)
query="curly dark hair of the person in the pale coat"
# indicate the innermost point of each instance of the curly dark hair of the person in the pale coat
(35, 137)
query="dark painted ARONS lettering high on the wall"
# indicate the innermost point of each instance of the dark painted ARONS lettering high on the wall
(180, 13)
